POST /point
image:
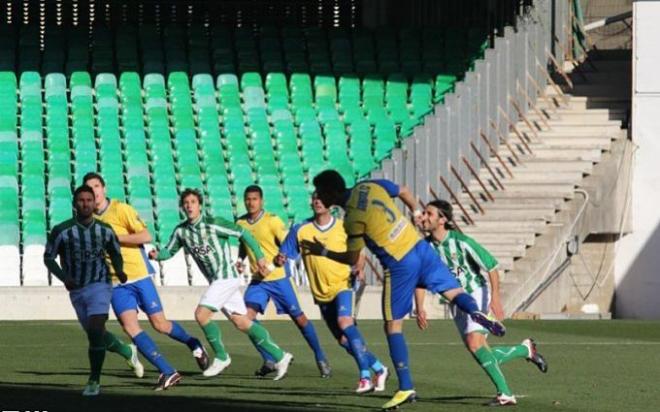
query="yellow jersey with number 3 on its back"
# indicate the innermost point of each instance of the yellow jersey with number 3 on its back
(373, 220)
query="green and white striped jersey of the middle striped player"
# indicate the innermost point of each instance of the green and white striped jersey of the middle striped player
(207, 241)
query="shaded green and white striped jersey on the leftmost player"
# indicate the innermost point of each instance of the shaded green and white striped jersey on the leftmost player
(82, 250)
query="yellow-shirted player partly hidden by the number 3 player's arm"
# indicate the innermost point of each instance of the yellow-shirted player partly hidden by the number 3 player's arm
(330, 285)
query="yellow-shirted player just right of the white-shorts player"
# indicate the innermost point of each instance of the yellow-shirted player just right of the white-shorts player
(269, 231)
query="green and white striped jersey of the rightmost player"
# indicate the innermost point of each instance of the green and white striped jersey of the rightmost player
(465, 258)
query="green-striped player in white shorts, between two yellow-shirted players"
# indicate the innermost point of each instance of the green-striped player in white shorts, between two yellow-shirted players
(207, 241)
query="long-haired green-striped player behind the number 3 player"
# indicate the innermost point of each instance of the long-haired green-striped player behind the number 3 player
(468, 260)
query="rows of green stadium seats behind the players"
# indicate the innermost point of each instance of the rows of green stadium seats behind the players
(176, 107)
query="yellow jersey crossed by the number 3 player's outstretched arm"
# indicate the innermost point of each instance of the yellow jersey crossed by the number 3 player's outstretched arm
(326, 277)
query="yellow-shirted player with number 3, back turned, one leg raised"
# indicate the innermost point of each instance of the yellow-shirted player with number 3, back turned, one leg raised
(373, 220)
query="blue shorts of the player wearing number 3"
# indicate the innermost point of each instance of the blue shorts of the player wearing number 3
(421, 267)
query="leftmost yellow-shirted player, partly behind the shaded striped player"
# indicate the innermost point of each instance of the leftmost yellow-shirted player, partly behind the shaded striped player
(139, 292)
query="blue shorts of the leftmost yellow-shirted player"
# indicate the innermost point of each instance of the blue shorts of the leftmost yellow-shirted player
(131, 296)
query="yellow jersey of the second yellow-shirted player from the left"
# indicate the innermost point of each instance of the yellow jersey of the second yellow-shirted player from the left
(269, 231)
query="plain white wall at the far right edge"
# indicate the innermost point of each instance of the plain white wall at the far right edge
(637, 278)
